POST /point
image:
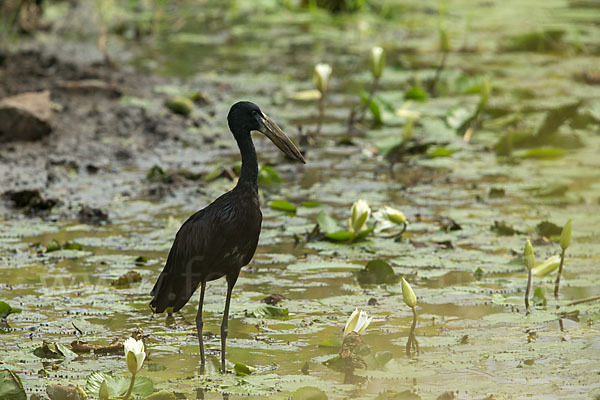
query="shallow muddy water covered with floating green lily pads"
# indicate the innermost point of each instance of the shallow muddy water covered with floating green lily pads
(475, 336)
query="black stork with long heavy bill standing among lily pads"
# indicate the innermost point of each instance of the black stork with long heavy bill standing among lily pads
(221, 238)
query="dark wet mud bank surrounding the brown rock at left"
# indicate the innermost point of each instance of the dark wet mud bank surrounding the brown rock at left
(103, 141)
